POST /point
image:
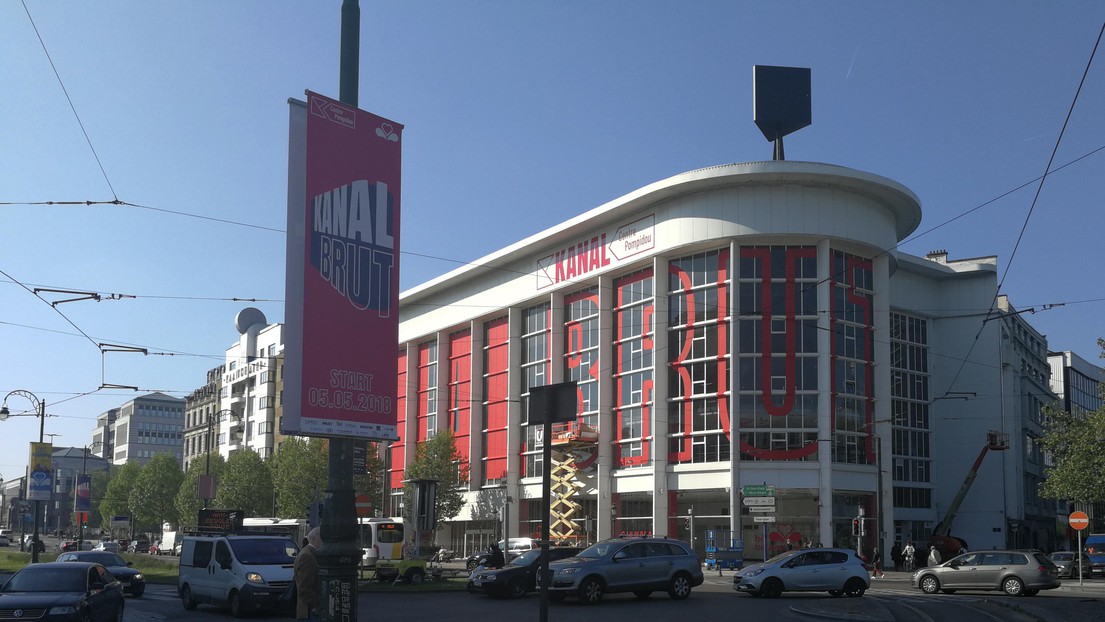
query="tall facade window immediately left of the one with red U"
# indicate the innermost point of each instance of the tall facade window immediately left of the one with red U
(699, 323)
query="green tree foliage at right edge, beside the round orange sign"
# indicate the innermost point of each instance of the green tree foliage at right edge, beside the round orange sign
(1075, 442)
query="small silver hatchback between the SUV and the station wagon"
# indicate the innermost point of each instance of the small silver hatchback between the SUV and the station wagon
(837, 572)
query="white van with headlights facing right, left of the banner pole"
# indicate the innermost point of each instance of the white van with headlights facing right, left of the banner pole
(247, 574)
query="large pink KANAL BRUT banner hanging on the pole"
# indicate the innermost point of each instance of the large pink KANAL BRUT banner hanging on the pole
(342, 297)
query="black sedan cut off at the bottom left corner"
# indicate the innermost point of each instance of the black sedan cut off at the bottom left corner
(62, 592)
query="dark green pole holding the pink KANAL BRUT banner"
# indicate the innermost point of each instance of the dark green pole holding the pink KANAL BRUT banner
(340, 554)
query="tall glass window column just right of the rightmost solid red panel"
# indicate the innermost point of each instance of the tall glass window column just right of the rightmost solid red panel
(535, 362)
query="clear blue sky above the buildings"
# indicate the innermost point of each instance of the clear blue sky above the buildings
(519, 115)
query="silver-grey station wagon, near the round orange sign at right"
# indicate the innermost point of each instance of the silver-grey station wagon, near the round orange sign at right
(1016, 573)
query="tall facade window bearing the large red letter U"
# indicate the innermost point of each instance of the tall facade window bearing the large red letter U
(778, 353)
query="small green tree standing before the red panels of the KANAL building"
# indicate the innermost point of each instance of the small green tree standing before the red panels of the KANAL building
(439, 459)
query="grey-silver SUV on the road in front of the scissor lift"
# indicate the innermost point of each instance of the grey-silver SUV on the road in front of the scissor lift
(627, 565)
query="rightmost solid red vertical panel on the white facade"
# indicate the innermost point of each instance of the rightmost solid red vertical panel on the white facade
(497, 398)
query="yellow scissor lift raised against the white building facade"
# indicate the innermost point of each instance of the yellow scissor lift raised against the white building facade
(574, 448)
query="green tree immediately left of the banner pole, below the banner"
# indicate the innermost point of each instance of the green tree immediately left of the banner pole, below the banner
(299, 473)
